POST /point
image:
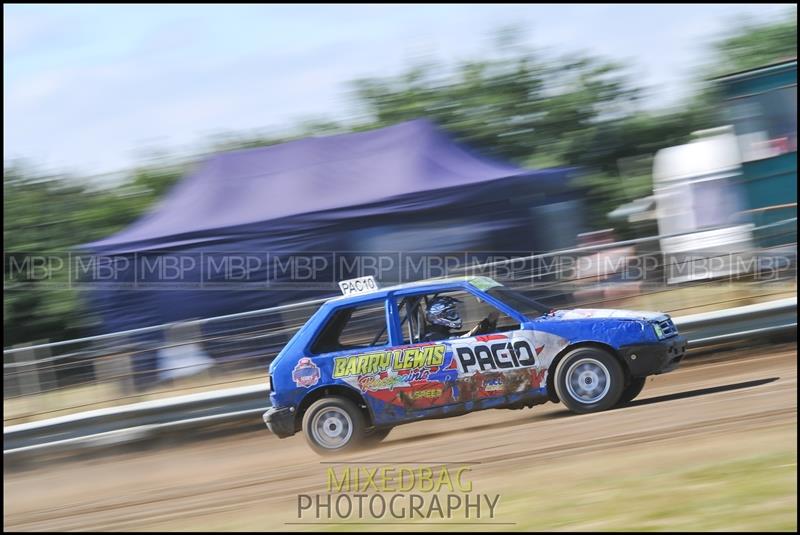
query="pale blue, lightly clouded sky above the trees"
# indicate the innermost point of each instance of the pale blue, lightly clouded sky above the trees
(94, 89)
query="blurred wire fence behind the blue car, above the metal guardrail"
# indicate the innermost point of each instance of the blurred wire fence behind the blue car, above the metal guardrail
(46, 378)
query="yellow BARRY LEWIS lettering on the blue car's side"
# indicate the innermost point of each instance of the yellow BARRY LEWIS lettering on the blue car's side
(401, 360)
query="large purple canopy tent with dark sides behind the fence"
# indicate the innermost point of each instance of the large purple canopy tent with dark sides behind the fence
(404, 187)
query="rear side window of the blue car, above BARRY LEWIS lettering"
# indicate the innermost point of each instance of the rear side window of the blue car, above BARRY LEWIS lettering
(354, 327)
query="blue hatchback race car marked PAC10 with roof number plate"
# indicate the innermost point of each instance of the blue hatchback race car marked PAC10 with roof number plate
(376, 358)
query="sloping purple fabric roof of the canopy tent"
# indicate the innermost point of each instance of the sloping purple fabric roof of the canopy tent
(333, 178)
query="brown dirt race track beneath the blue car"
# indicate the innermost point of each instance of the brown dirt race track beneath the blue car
(715, 407)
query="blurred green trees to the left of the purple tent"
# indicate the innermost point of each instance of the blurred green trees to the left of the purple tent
(47, 217)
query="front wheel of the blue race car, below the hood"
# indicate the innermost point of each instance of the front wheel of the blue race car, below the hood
(589, 379)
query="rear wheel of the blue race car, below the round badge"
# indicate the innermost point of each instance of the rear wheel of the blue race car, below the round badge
(334, 425)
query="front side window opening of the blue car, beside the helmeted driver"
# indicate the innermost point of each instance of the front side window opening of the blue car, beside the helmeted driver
(476, 317)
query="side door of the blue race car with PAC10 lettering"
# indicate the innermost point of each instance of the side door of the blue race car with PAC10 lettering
(505, 365)
